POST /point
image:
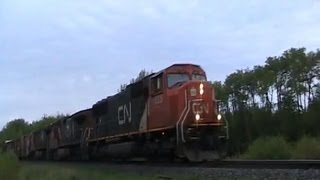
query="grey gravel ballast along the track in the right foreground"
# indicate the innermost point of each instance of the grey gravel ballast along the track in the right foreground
(219, 173)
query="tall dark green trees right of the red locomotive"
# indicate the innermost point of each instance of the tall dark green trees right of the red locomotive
(281, 97)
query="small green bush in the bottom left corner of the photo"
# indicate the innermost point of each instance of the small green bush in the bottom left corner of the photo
(9, 165)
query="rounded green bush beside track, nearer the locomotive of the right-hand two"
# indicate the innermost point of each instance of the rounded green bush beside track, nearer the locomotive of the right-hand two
(269, 148)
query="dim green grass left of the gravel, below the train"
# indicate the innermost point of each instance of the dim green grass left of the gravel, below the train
(12, 169)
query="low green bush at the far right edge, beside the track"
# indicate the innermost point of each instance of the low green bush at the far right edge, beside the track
(307, 148)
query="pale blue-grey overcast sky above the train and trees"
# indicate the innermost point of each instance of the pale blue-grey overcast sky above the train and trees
(64, 55)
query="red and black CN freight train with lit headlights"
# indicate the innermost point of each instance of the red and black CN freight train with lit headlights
(171, 114)
